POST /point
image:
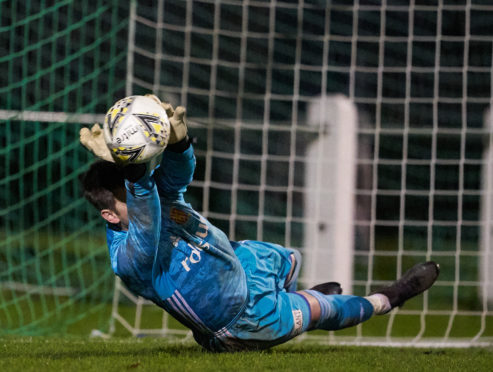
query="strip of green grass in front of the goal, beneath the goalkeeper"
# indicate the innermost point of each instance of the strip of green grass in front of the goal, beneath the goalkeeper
(150, 354)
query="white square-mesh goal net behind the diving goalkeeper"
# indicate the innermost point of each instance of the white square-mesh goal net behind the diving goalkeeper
(393, 168)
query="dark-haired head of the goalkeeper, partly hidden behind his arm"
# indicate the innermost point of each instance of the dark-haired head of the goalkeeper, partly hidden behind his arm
(103, 186)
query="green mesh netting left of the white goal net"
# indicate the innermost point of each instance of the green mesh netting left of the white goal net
(59, 60)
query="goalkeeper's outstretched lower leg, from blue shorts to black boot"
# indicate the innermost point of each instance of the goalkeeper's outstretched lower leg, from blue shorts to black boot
(273, 317)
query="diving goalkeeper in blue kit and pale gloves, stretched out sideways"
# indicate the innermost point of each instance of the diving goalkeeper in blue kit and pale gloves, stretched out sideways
(232, 295)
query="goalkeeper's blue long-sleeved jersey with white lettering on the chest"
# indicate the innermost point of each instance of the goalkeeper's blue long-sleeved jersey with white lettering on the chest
(173, 256)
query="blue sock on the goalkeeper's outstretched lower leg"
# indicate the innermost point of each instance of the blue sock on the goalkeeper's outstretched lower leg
(341, 311)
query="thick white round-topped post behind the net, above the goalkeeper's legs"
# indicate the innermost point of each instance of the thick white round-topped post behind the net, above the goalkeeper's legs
(330, 189)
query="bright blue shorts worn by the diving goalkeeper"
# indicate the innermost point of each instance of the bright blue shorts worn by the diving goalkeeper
(272, 314)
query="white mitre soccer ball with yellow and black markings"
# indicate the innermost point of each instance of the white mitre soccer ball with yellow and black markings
(136, 129)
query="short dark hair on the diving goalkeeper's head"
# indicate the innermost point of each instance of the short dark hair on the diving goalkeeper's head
(100, 182)
